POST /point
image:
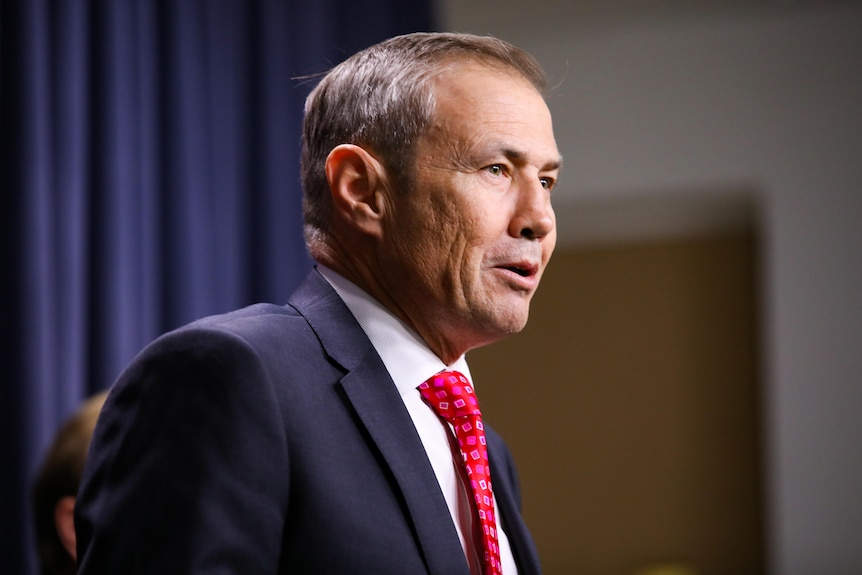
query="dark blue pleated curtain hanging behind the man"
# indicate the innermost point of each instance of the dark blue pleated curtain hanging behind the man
(149, 177)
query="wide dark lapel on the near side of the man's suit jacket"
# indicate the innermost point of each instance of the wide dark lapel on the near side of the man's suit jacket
(375, 399)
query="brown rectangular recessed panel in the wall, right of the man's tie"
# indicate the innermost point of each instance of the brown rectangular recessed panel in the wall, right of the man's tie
(640, 364)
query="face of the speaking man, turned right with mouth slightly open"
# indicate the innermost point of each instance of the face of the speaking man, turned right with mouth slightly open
(467, 245)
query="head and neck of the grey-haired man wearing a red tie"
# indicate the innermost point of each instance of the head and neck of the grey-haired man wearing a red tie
(427, 165)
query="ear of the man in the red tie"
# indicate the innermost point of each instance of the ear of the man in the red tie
(357, 184)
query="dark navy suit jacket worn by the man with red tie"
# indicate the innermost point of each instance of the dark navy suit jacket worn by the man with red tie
(271, 440)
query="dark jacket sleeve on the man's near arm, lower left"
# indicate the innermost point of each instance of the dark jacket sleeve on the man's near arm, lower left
(187, 471)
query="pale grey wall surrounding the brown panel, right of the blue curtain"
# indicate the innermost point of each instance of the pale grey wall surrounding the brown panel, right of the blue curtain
(703, 98)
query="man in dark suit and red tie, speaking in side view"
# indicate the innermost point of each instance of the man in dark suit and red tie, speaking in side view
(294, 439)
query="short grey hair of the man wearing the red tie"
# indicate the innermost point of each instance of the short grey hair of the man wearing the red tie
(382, 99)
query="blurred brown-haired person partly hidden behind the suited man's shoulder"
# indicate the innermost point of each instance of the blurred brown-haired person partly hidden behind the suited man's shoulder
(56, 485)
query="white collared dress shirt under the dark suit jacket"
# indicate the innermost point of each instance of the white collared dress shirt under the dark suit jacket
(409, 362)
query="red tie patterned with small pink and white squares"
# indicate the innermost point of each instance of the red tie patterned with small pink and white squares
(450, 394)
